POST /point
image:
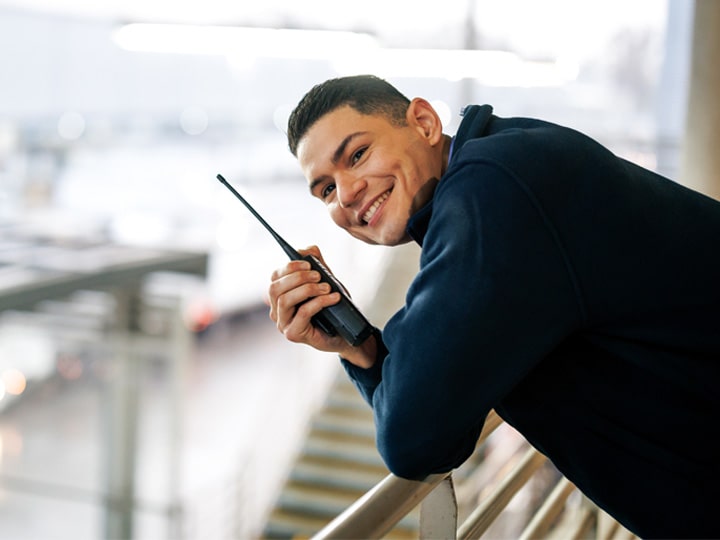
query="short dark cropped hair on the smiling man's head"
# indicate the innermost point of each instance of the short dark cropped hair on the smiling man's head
(367, 94)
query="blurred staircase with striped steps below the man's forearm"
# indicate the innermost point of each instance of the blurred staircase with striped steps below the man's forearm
(337, 465)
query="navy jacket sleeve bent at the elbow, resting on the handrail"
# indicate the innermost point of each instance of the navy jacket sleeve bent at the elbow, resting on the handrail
(494, 294)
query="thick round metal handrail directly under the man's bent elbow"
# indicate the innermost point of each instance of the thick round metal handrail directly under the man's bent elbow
(381, 508)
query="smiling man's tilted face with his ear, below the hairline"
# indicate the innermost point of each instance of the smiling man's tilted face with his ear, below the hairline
(369, 172)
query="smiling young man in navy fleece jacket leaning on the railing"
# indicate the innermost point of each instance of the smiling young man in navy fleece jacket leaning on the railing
(574, 292)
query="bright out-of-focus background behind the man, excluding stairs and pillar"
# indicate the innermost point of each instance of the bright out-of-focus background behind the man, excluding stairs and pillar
(115, 118)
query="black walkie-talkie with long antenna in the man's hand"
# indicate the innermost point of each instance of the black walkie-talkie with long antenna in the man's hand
(343, 318)
